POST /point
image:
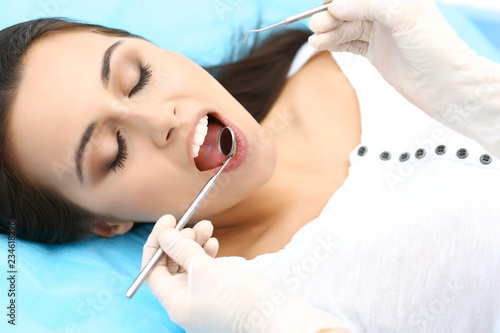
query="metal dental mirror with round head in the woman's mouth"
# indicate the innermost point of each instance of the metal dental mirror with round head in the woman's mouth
(226, 150)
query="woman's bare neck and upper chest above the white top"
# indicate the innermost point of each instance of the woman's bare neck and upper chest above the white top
(267, 220)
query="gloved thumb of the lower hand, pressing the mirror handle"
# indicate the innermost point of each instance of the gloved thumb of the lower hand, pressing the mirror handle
(180, 248)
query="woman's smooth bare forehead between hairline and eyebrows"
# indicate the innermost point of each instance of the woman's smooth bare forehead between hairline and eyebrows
(61, 76)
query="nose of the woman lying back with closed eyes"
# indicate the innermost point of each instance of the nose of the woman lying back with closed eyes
(156, 122)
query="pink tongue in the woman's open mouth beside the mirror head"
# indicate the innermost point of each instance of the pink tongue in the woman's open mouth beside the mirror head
(209, 156)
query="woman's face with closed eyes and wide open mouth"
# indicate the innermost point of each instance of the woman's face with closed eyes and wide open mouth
(109, 122)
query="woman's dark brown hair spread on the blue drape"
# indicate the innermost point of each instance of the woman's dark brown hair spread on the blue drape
(40, 213)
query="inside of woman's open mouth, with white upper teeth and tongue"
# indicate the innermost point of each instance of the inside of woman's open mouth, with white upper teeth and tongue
(206, 143)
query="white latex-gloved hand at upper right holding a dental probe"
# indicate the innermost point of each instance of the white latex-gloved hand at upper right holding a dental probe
(416, 51)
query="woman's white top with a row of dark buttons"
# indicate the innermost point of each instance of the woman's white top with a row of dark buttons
(411, 241)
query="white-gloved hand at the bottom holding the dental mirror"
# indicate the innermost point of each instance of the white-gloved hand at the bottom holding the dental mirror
(202, 294)
